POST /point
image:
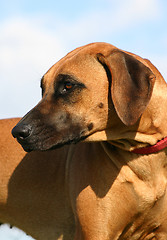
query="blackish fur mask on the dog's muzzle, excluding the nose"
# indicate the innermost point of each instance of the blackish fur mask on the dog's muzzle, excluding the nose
(45, 135)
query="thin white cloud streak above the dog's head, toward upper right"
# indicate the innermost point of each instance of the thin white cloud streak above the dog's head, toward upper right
(119, 16)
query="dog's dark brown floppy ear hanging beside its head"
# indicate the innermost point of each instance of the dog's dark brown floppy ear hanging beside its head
(131, 84)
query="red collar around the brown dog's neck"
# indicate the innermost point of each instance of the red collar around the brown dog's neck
(152, 149)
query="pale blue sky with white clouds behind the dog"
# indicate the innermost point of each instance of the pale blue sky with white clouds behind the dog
(34, 34)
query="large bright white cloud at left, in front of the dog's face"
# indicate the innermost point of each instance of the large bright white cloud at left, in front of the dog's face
(27, 51)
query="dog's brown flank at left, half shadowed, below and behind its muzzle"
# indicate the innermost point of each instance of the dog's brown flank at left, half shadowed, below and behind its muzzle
(29, 198)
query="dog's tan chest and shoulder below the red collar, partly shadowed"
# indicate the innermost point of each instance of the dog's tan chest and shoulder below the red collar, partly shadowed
(118, 203)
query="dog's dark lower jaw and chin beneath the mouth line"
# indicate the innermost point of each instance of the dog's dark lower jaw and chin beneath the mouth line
(45, 147)
